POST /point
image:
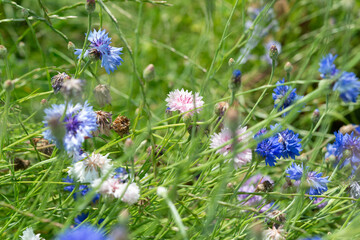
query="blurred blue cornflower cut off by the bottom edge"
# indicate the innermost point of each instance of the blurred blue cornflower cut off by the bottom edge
(83, 232)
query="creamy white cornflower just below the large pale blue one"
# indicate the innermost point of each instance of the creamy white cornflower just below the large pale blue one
(91, 167)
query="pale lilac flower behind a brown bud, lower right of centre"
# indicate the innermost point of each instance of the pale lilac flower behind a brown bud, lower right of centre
(250, 186)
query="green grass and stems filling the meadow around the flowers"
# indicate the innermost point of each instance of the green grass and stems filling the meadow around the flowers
(190, 44)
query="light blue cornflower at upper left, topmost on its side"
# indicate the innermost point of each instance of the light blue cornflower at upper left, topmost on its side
(100, 46)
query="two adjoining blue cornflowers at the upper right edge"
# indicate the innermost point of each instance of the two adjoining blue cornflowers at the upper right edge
(347, 84)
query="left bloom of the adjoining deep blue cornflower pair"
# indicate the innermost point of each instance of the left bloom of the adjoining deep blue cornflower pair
(270, 148)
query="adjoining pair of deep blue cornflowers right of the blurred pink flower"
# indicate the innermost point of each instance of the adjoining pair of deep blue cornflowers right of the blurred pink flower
(283, 144)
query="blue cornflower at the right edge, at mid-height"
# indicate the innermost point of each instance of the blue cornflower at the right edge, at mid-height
(347, 148)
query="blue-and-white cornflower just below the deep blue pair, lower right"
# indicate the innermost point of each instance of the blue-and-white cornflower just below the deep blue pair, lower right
(316, 183)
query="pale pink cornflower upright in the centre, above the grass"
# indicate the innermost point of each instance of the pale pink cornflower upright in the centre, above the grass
(184, 101)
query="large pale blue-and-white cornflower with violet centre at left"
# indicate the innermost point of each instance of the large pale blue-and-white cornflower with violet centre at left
(78, 123)
